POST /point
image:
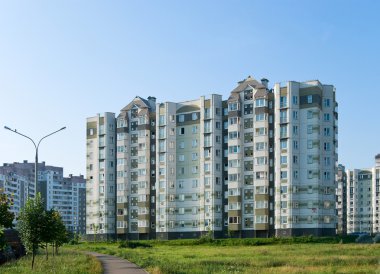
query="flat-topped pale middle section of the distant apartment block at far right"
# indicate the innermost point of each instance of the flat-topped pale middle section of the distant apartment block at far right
(359, 200)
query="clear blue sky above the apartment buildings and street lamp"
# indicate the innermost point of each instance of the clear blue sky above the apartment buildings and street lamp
(63, 61)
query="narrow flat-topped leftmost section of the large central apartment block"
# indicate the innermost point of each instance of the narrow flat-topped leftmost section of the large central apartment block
(101, 176)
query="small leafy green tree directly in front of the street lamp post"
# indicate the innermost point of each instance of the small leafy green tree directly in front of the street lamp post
(31, 222)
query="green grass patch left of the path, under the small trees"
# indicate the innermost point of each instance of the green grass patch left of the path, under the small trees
(68, 261)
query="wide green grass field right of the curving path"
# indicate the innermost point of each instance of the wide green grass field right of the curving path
(222, 257)
